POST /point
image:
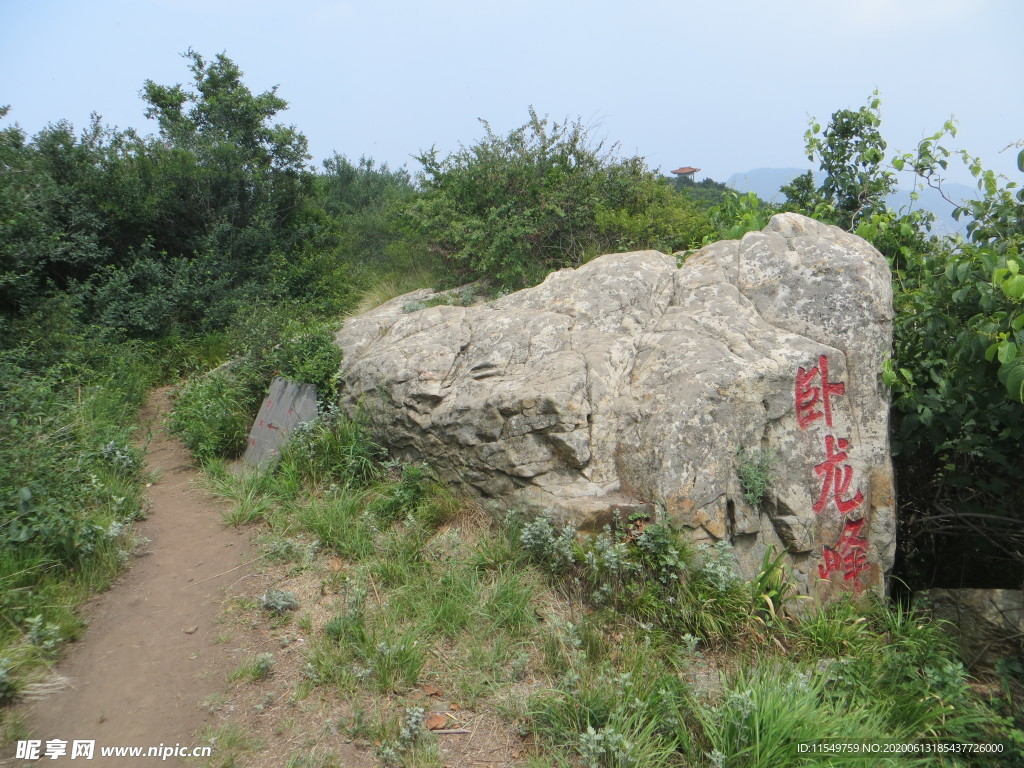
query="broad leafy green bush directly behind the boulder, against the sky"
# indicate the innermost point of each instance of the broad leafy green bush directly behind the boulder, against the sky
(514, 208)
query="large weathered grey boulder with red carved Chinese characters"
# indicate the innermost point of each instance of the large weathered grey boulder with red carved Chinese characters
(631, 385)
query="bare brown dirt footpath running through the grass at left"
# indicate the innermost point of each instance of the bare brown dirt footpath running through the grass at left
(151, 654)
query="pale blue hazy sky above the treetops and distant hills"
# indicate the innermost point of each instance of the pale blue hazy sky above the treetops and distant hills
(724, 86)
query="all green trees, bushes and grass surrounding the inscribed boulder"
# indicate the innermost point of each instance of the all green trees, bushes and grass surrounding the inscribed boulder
(129, 261)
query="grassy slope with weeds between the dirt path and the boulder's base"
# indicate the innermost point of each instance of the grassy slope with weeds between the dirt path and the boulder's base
(589, 653)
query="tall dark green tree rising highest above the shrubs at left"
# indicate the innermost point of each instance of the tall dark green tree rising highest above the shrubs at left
(207, 207)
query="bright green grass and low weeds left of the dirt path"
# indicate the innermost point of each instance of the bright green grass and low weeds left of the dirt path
(70, 486)
